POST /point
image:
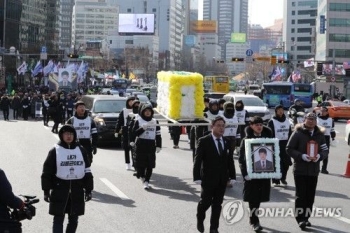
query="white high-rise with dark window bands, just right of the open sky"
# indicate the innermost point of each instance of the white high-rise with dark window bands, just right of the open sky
(299, 29)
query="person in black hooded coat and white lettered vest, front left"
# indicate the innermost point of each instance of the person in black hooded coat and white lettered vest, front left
(67, 180)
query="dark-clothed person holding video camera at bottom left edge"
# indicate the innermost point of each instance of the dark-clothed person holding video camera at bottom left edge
(8, 199)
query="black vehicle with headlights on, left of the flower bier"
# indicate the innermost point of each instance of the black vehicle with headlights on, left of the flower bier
(104, 110)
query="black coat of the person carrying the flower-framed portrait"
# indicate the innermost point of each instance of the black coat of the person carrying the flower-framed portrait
(255, 190)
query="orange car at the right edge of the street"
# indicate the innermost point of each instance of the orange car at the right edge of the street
(336, 109)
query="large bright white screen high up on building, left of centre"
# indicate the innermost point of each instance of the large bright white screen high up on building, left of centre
(132, 24)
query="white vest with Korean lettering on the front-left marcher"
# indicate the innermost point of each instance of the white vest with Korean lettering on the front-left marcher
(70, 163)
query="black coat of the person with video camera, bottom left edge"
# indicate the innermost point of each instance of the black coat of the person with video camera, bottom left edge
(7, 198)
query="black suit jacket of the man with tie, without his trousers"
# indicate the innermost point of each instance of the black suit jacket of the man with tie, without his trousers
(210, 167)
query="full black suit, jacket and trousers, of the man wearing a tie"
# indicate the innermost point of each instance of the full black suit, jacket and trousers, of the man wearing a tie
(213, 170)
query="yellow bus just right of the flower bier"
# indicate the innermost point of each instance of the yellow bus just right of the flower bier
(217, 83)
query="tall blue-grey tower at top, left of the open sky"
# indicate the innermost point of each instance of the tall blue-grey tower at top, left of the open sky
(231, 16)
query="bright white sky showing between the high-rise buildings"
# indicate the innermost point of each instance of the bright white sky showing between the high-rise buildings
(262, 12)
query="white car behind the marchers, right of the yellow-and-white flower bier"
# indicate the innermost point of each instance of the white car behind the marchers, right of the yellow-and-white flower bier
(253, 104)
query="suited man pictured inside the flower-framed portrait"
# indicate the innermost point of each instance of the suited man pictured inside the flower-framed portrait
(263, 161)
